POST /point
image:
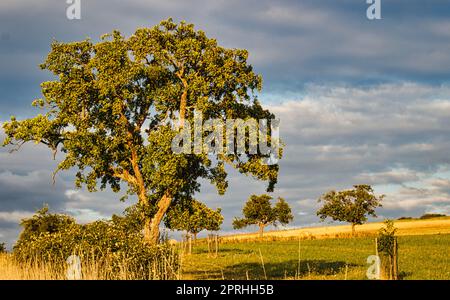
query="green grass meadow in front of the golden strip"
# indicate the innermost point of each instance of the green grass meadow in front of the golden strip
(420, 257)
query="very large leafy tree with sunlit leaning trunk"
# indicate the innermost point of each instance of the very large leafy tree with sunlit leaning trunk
(109, 108)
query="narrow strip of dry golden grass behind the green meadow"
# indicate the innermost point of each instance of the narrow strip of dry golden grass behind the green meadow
(404, 227)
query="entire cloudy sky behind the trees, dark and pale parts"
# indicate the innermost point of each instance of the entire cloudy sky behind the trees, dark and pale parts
(359, 101)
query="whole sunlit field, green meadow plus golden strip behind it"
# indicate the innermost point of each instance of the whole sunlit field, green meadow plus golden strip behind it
(322, 253)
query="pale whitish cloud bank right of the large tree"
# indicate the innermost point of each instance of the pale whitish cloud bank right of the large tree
(384, 135)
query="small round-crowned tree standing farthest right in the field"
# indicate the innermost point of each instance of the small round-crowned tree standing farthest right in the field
(351, 206)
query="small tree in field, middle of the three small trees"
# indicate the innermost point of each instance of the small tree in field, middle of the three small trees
(259, 211)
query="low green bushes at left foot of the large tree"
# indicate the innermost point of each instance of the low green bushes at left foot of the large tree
(108, 242)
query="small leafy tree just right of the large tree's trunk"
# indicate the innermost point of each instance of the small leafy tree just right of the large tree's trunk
(194, 218)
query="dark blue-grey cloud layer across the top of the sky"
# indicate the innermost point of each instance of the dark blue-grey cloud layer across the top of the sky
(290, 42)
